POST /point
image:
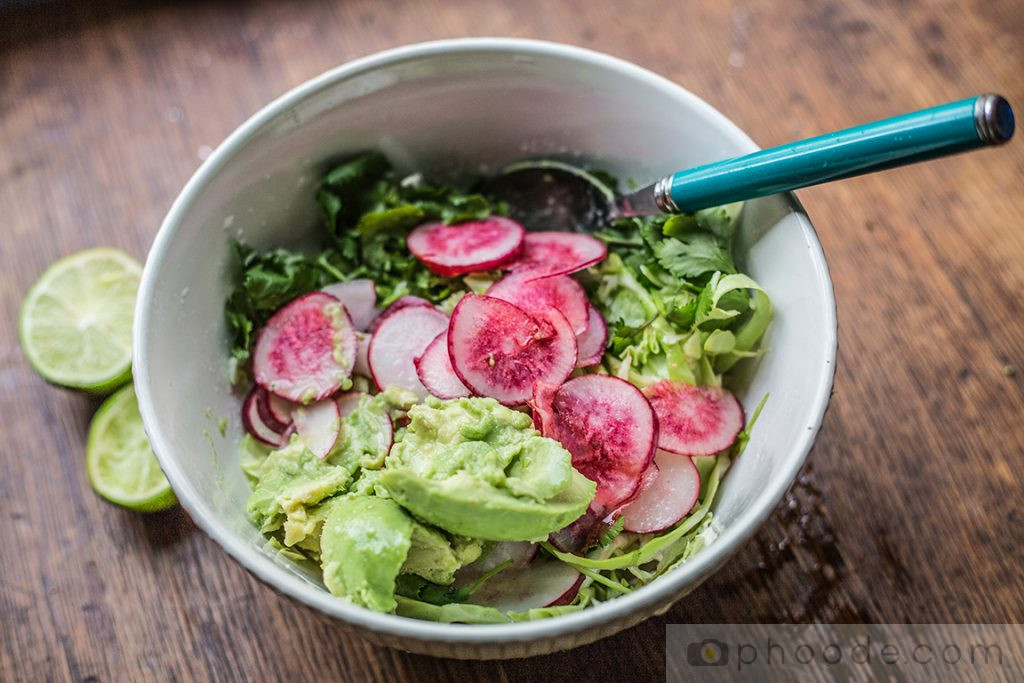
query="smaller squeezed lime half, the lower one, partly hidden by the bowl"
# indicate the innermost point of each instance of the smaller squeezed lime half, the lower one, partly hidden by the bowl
(119, 460)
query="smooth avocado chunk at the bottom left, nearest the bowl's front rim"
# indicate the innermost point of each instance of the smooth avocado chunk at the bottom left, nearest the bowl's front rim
(365, 542)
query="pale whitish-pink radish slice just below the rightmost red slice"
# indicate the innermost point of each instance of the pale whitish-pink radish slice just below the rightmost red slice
(669, 498)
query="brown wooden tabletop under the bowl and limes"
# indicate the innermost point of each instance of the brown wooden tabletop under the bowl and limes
(910, 508)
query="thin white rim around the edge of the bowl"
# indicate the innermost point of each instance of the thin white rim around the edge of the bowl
(662, 591)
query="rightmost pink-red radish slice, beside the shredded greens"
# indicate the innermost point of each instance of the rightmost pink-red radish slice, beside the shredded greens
(695, 421)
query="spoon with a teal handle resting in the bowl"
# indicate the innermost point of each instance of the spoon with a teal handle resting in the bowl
(556, 196)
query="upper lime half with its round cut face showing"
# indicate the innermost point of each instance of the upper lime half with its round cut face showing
(76, 320)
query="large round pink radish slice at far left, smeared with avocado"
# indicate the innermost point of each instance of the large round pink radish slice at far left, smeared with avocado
(307, 350)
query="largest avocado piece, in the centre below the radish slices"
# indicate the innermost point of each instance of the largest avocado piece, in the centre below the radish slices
(479, 469)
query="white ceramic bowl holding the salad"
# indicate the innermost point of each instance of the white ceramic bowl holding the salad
(451, 108)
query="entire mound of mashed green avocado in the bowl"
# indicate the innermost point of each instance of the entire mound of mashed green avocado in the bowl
(463, 473)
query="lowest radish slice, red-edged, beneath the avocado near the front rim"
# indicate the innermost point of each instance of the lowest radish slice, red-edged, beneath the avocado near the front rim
(545, 583)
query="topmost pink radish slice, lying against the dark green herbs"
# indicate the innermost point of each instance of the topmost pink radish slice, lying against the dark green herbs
(468, 247)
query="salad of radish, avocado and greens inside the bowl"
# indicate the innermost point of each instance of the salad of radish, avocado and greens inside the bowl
(454, 419)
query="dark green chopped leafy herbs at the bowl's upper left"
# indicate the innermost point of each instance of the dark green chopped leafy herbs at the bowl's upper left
(368, 212)
